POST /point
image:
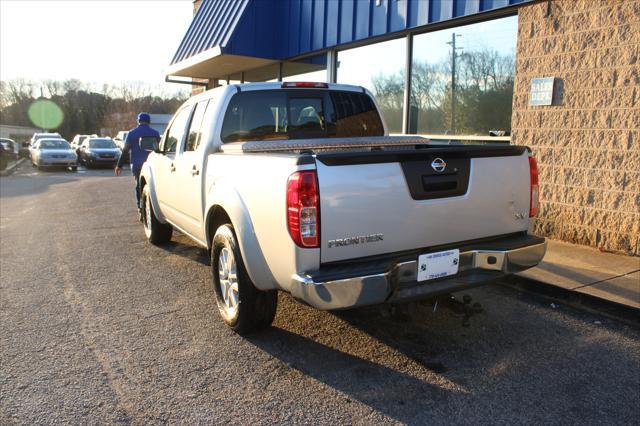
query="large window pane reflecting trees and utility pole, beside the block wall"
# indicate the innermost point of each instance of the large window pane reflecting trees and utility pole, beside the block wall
(478, 97)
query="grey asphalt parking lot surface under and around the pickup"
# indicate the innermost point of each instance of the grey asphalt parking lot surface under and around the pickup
(99, 326)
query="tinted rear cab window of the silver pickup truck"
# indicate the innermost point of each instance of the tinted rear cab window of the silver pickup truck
(299, 114)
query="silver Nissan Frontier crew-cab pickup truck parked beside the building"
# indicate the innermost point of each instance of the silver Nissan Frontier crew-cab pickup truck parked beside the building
(297, 187)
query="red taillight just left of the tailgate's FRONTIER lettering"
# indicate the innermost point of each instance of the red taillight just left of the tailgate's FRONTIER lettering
(303, 209)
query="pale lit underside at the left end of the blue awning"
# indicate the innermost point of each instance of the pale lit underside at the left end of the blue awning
(213, 63)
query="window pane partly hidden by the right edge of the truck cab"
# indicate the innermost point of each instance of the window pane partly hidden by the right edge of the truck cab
(380, 68)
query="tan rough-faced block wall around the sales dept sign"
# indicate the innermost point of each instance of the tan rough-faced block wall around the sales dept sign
(588, 145)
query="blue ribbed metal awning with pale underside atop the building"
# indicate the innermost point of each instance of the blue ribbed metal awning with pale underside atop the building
(228, 36)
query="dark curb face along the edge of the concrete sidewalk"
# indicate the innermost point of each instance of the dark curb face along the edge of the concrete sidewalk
(582, 301)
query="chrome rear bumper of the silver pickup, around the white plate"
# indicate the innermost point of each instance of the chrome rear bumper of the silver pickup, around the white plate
(399, 283)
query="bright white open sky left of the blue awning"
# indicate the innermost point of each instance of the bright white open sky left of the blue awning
(95, 41)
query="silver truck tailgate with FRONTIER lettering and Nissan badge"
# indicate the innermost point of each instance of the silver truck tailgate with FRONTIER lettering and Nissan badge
(390, 201)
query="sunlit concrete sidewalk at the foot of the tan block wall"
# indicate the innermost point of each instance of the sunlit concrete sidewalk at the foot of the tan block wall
(607, 276)
